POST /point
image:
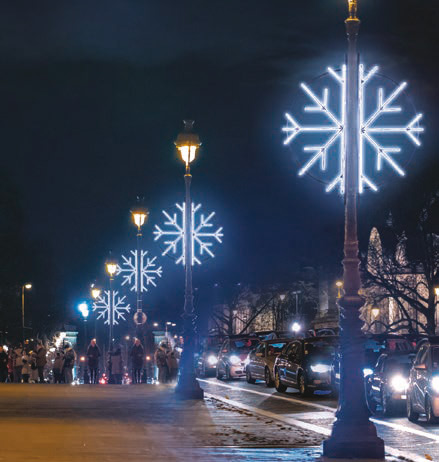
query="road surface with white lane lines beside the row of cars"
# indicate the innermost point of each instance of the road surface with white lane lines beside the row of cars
(317, 413)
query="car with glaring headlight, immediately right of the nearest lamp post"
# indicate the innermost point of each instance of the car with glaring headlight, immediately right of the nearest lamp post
(387, 385)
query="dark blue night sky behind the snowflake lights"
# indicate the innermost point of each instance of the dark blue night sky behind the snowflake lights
(92, 97)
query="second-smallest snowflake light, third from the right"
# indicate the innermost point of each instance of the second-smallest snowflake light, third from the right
(146, 268)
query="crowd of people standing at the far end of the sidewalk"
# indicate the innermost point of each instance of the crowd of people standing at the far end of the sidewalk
(26, 364)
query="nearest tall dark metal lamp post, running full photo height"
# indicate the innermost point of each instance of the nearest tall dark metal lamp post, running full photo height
(353, 434)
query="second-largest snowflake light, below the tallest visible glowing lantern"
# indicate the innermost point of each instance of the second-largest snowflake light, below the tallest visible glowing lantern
(202, 240)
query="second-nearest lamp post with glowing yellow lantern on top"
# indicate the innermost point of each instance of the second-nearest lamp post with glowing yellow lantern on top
(188, 387)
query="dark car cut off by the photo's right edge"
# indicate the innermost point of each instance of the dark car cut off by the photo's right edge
(423, 387)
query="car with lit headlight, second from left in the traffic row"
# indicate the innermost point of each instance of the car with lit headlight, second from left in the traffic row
(232, 356)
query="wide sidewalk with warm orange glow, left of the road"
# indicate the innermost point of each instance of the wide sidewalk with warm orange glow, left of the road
(62, 423)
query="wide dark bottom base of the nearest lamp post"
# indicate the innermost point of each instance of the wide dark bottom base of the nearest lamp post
(353, 441)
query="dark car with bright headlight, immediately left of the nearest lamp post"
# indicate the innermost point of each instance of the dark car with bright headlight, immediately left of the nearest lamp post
(306, 364)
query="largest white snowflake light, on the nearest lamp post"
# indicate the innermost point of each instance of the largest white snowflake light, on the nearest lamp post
(368, 128)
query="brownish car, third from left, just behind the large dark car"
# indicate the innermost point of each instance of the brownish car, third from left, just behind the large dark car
(260, 361)
